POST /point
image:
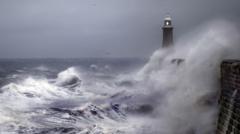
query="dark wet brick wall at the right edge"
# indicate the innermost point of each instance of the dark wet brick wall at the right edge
(229, 101)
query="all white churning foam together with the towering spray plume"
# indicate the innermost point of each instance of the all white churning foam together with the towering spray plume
(180, 94)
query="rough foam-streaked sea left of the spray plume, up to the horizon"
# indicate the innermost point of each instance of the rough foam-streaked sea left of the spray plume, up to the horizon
(54, 96)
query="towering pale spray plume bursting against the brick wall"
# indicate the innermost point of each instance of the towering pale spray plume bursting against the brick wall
(188, 101)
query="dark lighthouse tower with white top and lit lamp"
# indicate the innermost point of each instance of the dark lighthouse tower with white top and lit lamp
(167, 32)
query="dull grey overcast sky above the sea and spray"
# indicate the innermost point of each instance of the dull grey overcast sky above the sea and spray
(99, 28)
